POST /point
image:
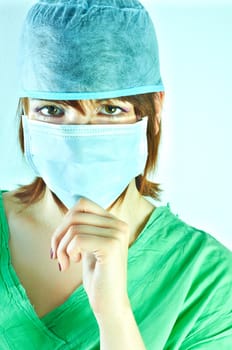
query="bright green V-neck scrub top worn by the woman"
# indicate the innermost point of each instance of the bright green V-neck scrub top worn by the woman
(179, 284)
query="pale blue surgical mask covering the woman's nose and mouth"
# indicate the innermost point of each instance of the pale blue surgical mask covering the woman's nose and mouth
(92, 161)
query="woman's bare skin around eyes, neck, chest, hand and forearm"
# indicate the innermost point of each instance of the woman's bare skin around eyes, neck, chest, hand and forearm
(90, 244)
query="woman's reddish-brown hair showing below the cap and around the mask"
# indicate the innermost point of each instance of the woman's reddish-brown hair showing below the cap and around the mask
(144, 105)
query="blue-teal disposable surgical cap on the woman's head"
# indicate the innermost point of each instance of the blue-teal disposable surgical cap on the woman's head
(88, 49)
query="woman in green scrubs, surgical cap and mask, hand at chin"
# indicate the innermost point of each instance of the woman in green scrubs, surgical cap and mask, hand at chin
(90, 105)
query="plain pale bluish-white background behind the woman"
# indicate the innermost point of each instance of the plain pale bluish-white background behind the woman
(195, 39)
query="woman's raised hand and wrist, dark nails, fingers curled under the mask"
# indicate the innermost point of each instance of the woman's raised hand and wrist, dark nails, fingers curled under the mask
(91, 234)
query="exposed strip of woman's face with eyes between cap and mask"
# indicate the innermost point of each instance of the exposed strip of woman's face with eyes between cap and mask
(113, 111)
